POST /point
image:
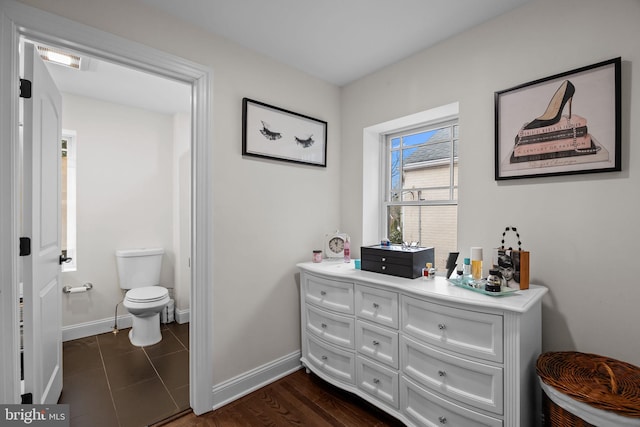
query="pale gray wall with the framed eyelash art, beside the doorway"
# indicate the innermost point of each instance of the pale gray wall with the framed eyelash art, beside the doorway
(268, 215)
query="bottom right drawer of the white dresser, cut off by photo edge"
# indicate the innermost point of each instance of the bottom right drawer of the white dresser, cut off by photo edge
(428, 409)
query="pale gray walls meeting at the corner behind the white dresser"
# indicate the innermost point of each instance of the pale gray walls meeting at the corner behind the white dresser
(268, 216)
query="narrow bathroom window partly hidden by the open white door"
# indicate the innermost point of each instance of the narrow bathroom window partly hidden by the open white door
(68, 199)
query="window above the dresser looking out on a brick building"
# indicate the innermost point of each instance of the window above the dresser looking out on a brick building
(421, 187)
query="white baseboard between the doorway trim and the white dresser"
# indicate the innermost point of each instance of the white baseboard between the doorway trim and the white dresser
(235, 388)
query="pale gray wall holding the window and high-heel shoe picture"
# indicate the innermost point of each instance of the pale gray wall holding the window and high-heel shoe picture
(581, 230)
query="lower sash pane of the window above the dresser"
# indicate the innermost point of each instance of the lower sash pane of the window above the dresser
(430, 225)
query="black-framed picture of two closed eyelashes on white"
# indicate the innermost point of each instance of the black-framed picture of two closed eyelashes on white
(274, 133)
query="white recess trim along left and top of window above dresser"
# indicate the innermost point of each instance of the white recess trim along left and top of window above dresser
(373, 176)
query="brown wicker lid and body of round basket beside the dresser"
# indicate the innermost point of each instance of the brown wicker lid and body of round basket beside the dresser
(598, 381)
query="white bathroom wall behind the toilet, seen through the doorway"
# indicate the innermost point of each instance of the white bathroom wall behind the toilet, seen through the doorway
(124, 181)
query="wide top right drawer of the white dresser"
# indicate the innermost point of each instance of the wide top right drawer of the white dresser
(467, 332)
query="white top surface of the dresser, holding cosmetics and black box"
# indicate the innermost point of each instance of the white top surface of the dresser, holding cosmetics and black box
(439, 287)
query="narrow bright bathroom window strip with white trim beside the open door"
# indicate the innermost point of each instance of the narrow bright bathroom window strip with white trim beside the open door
(71, 137)
